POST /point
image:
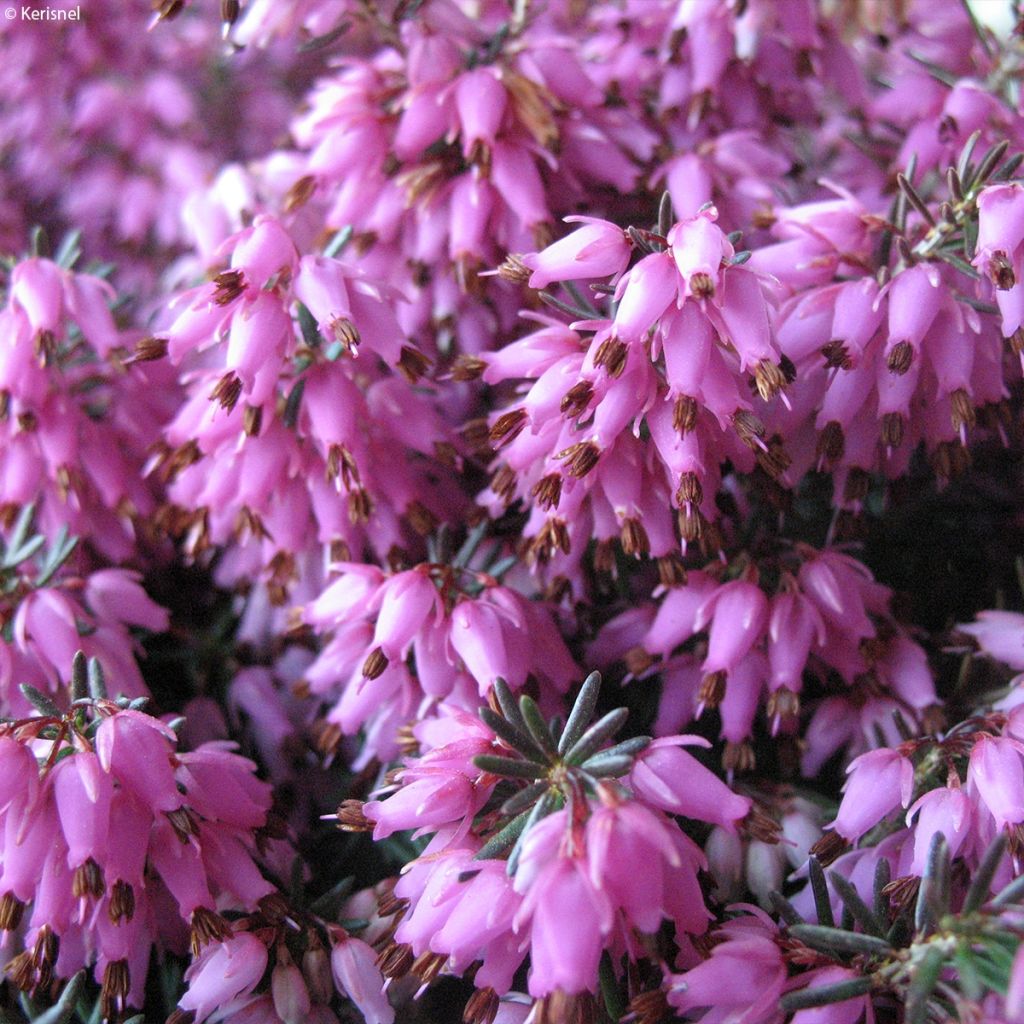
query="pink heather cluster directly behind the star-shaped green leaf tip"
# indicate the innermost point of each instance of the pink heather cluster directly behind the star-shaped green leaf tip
(462, 628)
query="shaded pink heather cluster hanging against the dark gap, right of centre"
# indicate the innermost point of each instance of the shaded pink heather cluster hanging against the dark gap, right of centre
(722, 641)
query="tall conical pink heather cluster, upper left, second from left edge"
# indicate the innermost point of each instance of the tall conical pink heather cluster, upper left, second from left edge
(294, 438)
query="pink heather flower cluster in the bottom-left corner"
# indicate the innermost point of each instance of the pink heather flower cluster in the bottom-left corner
(123, 823)
